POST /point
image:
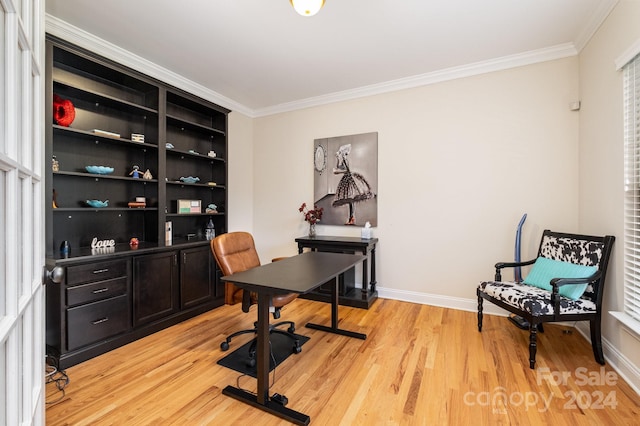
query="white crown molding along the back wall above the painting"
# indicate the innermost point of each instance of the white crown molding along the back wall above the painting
(478, 68)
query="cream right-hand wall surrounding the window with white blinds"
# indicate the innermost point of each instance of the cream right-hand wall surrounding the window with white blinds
(602, 167)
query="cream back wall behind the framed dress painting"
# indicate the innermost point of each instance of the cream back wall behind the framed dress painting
(459, 163)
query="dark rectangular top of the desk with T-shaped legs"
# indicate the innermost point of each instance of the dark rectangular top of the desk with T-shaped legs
(296, 274)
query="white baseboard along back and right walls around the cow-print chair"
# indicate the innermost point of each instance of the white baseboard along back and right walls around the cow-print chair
(616, 360)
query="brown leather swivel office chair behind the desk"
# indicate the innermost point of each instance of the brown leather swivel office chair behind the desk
(236, 252)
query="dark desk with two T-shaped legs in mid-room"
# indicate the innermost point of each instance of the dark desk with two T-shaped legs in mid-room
(297, 274)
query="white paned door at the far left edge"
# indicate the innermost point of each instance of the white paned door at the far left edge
(22, 200)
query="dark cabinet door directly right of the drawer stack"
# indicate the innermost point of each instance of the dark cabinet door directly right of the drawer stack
(155, 286)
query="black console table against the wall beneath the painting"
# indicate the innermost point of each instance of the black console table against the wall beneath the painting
(348, 294)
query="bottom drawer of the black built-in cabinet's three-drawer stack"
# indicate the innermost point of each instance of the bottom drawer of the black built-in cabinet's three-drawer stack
(96, 321)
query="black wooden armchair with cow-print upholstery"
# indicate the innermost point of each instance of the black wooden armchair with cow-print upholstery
(539, 305)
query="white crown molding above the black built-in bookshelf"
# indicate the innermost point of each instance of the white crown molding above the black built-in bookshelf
(79, 37)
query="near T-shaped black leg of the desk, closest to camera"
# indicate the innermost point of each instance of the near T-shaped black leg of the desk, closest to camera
(261, 400)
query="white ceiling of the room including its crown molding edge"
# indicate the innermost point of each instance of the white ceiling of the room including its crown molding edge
(260, 57)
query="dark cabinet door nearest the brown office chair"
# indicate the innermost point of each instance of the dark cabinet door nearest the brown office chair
(197, 276)
